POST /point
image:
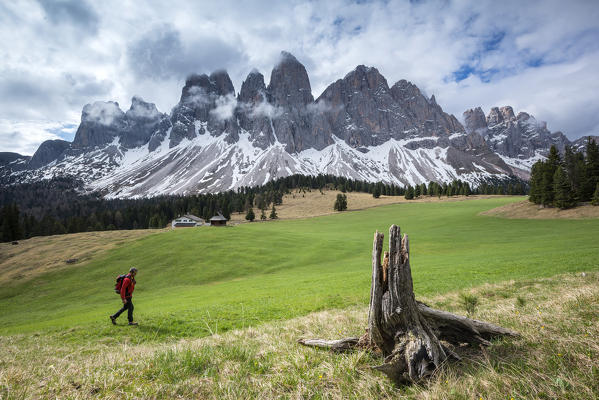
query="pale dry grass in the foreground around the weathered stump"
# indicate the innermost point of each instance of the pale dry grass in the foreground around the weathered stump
(556, 357)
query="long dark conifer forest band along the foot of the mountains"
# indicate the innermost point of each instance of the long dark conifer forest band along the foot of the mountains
(58, 206)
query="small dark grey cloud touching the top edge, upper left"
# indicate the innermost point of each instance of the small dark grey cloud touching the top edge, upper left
(71, 12)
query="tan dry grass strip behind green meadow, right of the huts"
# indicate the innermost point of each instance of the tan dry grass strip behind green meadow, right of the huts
(306, 204)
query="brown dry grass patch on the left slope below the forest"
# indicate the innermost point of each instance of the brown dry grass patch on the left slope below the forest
(35, 256)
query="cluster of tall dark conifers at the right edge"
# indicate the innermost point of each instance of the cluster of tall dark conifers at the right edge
(565, 181)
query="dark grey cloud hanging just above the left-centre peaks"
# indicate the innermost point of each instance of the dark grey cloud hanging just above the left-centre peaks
(162, 54)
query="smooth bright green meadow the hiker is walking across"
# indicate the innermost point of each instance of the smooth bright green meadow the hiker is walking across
(197, 282)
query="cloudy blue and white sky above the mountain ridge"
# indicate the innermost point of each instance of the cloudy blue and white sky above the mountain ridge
(541, 57)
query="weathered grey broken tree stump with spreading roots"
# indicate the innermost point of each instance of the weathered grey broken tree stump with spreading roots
(408, 332)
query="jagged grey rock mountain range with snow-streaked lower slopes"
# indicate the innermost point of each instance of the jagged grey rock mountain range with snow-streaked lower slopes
(359, 127)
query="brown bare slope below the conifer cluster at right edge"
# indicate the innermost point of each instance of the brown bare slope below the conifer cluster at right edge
(527, 210)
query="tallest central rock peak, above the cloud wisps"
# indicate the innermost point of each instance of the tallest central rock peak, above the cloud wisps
(289, 83)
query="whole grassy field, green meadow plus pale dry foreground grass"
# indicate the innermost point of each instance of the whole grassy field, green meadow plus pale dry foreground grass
(221, 308)
